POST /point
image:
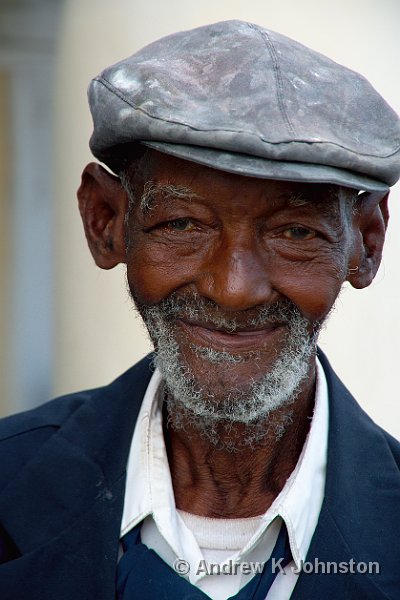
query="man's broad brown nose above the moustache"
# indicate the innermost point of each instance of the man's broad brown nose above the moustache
(236, 276)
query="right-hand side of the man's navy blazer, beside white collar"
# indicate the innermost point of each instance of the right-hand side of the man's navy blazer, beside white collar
(360, 516)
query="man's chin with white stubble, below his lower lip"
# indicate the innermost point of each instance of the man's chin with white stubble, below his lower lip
(245, 392)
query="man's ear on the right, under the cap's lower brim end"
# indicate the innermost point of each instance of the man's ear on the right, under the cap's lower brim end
(370, 222)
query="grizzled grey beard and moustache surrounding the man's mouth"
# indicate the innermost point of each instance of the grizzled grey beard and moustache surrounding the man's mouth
(192, 403)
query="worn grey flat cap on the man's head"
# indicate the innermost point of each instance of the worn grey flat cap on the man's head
(246, 100)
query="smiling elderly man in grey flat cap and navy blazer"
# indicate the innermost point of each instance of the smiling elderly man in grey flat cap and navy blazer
(252, 177)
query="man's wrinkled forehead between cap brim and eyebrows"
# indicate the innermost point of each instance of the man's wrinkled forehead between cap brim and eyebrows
(158, 179)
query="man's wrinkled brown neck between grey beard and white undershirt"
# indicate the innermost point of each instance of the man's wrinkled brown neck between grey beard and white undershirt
(237, 492)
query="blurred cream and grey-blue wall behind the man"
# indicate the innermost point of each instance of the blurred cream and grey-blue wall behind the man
(66, 325)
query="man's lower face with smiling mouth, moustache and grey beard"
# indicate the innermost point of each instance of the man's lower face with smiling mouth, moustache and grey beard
(200, 352)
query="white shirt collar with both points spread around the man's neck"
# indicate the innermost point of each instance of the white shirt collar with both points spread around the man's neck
(149, 487)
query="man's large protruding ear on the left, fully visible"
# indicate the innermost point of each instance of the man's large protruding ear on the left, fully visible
(103, 204)
